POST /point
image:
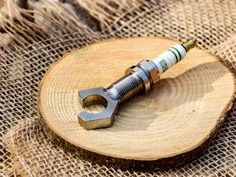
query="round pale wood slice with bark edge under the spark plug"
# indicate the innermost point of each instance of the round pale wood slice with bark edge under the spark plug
(170, 124)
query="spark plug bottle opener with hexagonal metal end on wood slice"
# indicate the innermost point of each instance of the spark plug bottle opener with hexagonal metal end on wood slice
(138, 79)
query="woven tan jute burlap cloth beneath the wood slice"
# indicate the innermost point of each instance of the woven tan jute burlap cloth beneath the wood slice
(42, 34)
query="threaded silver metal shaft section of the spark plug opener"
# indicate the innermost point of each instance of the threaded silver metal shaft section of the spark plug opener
(126, 87)
